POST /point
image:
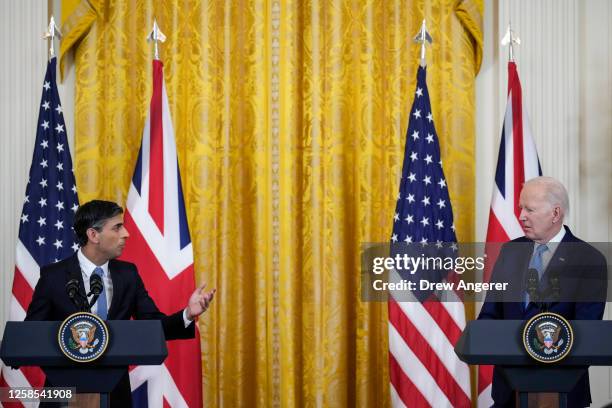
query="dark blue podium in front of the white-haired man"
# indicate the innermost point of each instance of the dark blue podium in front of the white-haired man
(499, 343)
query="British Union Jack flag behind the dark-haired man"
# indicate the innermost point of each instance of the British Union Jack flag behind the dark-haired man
(160, 245)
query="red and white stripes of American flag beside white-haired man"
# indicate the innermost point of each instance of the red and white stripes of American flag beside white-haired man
(424, 369)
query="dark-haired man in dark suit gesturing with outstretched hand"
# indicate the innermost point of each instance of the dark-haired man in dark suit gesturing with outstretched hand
(101, 234)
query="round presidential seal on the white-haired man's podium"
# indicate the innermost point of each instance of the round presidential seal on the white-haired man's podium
(548, 337)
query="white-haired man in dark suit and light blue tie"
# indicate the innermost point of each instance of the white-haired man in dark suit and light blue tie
(551, 249)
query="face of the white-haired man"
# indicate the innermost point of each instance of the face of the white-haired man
(540, 219)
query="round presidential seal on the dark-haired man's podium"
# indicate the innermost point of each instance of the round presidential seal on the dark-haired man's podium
(83, 337)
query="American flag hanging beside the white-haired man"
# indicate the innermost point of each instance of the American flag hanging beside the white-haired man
(424, 370)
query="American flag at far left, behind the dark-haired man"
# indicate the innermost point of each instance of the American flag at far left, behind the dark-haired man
(45, 228)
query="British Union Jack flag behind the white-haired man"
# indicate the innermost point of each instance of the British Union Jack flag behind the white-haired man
(517, 162)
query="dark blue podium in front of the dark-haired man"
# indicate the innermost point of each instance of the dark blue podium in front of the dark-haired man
(132, 342)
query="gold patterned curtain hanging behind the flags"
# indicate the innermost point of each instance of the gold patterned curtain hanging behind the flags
(290, 120)
